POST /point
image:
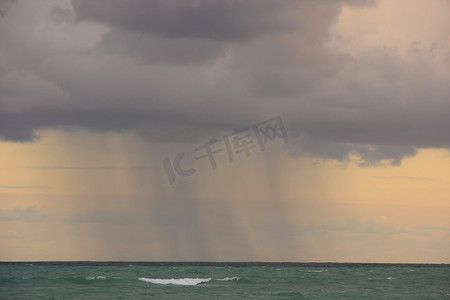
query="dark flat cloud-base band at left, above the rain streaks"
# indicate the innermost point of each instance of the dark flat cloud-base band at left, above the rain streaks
(150, 124)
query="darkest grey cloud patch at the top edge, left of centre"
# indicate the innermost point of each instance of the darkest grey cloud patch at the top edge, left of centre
(175, 31)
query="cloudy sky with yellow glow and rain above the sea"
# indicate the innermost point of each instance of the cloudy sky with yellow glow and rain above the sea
(213, 130)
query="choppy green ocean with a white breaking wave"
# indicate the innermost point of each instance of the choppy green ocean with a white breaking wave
(195, 280)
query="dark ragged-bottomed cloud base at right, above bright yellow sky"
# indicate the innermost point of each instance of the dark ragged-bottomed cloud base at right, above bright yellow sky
(375, 139)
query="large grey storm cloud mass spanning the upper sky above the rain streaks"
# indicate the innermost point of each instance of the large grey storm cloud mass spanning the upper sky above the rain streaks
(160, 72)
